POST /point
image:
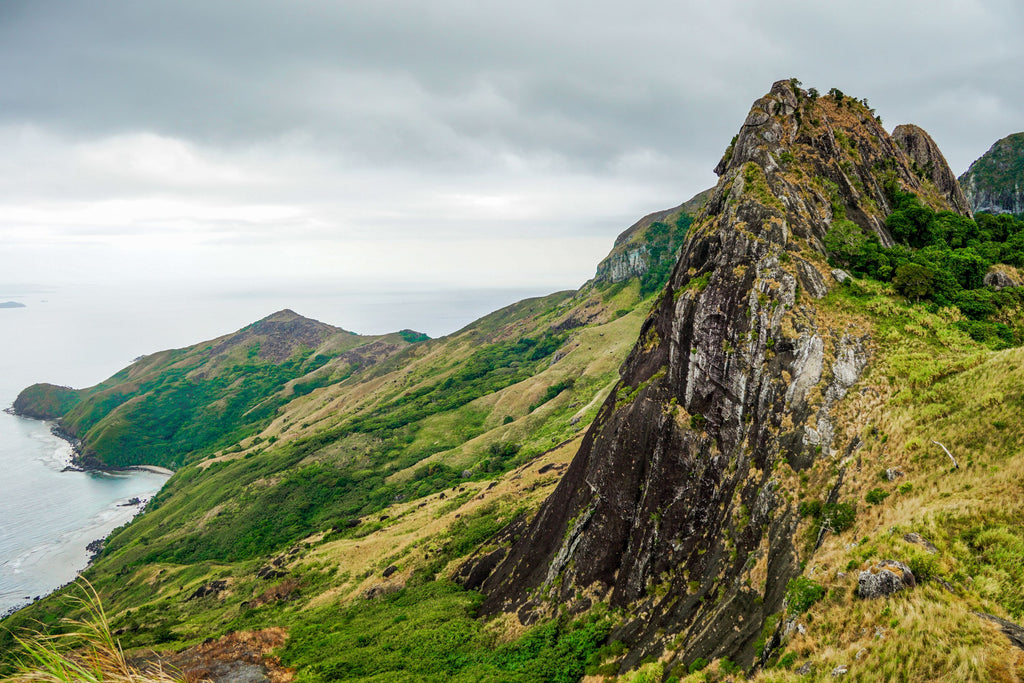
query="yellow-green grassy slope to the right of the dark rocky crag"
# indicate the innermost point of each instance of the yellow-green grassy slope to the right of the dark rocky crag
(929, 385)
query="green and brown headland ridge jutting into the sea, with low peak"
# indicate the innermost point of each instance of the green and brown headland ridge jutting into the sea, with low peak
(168, 408)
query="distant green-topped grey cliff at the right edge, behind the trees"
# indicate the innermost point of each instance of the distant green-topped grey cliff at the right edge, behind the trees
(995, 183)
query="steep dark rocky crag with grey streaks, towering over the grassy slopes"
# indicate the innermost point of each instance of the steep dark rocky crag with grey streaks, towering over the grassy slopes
(676, 505)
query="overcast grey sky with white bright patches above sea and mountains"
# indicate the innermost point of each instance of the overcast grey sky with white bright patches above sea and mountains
(439, 144)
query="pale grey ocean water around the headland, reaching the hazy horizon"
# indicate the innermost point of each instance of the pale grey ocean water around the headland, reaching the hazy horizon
(80, 336)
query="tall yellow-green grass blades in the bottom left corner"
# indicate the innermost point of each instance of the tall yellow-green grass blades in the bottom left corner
(86, 653)
